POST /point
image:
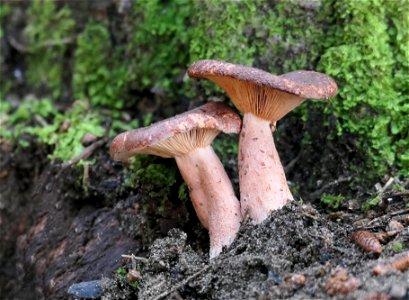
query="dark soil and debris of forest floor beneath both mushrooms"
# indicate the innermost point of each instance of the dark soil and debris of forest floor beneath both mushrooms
(51, 237)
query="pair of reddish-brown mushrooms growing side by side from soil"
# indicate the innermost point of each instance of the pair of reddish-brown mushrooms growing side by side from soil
(263, 99)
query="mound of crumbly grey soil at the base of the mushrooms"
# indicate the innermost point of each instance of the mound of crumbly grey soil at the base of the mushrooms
(295, 240)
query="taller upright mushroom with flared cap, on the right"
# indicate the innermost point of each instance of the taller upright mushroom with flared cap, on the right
(264, 99)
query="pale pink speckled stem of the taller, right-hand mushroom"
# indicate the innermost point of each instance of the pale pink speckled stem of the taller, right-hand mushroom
(263, 186)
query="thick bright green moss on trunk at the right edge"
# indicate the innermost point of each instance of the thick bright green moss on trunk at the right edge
(372, 103)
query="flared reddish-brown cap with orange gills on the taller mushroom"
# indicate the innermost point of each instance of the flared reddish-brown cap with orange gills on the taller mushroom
(265, 95)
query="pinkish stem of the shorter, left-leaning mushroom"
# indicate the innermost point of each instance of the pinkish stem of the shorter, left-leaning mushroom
(212, 196)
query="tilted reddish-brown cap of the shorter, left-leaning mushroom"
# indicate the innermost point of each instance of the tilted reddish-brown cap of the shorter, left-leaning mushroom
(201, 124)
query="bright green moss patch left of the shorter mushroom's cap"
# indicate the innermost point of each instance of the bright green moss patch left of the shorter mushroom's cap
(39, 118)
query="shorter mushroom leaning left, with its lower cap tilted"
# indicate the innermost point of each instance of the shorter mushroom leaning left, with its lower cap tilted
(187, 137)
